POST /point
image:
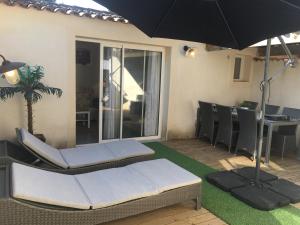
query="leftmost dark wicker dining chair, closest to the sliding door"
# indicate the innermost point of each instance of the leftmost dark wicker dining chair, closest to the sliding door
(207, 118)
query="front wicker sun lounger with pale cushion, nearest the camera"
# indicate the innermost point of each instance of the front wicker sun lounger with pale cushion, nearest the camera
(30, 195)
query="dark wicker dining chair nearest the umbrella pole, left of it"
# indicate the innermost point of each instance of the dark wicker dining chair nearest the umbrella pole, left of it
(247, 137)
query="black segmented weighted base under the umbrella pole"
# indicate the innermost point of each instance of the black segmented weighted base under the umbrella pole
(269, 194)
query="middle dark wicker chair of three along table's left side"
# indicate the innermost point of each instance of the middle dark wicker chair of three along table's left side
(227, 132)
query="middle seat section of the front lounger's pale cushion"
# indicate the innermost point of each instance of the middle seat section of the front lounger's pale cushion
(114, 186)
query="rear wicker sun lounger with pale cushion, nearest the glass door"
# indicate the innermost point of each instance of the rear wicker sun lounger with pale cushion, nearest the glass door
(86, 158)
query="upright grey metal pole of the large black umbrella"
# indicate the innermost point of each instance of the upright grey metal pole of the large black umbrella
(262, 111)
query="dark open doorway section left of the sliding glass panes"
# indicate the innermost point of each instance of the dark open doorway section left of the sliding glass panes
(87, 92)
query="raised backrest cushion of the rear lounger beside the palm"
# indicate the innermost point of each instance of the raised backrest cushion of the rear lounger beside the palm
(46, 151)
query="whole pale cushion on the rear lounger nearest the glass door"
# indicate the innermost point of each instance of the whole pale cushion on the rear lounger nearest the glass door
(86, 155)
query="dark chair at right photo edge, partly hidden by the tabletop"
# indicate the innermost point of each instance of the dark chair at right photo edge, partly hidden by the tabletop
(284, 139)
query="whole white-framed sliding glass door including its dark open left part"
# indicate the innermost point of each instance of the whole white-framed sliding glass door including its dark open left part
(118, 92)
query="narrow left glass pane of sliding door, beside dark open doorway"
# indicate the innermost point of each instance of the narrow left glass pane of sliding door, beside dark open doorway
(111, 95)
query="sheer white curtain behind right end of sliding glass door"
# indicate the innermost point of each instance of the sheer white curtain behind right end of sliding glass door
(152, 93)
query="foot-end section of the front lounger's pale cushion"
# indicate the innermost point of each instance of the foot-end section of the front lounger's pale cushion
(165, 174)
